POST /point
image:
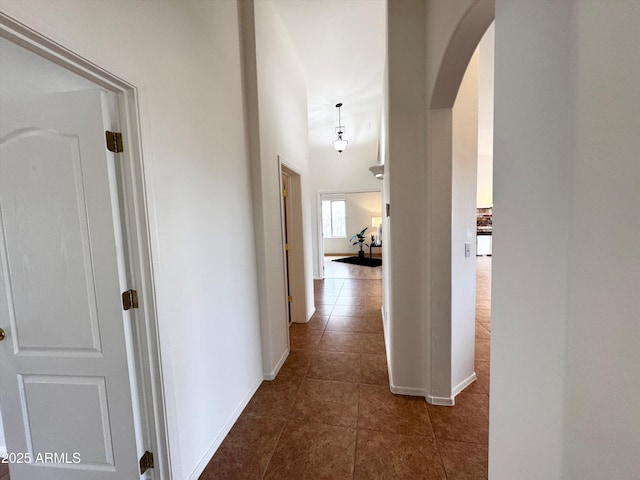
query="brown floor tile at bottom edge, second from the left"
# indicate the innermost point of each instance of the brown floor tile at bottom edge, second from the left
(313, 451)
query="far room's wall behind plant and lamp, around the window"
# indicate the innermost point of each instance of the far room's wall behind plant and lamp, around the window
(360, 207)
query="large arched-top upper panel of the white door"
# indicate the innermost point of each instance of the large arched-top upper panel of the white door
(36, 242)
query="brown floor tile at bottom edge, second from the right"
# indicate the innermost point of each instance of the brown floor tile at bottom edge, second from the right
(386, 456)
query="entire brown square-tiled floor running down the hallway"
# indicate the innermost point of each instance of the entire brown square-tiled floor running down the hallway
(329, 414)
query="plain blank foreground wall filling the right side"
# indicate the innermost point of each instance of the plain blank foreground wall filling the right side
(565, 326)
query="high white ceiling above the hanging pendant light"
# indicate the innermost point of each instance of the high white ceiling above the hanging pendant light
(341, 45)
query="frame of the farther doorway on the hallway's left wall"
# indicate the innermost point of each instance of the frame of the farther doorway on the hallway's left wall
(296, 270)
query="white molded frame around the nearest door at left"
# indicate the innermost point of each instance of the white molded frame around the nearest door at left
(136, 232)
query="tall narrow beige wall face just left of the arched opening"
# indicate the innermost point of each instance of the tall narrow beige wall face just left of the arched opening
(405, 172)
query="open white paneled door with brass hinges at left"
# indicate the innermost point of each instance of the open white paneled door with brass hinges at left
(64, 376)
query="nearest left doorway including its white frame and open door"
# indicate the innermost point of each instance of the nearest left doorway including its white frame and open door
(83, 396)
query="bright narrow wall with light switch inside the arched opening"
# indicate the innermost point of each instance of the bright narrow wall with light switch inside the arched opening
(463, 228)
